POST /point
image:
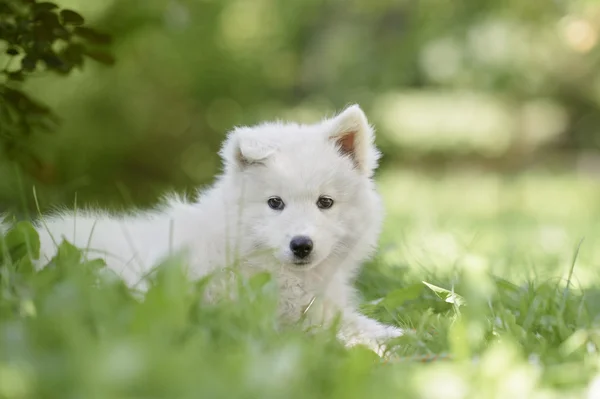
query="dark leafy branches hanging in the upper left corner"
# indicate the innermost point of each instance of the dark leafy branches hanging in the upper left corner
(38, 37)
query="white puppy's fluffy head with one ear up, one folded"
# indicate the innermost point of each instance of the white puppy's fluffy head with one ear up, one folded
(307, 190)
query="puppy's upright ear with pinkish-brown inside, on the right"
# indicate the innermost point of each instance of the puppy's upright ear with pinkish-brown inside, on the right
(354, 137)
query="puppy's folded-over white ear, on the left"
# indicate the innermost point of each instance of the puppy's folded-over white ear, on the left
(242, 149)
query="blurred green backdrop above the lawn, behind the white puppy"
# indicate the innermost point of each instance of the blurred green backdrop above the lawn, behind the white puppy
(494, 84)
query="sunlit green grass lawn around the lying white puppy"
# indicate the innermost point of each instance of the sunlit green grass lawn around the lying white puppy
(510, 309)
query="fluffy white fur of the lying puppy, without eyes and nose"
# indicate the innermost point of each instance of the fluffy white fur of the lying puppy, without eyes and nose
(232, 221)
